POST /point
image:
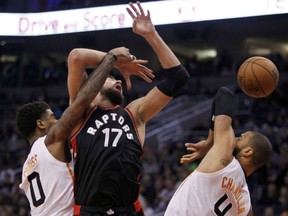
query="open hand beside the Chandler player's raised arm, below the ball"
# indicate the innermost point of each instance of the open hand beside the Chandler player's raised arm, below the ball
(199, 150)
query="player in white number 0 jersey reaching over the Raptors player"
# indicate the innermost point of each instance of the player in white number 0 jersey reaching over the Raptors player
(47, 177)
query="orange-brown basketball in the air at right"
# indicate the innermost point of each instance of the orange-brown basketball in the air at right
(258, 77)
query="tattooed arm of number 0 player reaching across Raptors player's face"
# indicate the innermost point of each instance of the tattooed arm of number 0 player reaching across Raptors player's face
(58, 134)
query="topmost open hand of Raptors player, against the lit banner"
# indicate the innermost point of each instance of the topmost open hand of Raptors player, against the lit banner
(142, 23)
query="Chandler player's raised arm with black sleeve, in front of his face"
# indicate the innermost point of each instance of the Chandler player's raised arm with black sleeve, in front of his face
(220, 155)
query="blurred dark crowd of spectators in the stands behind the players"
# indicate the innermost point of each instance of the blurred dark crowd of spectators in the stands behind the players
(162, 172)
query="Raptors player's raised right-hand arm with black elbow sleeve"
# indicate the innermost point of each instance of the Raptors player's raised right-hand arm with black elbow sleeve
(177, 76)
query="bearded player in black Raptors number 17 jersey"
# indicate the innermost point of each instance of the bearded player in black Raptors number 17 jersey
(109, 143)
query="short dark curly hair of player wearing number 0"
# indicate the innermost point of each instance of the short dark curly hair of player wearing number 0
(27, 116)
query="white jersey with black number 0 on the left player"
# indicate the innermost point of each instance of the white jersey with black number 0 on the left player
(47, 182)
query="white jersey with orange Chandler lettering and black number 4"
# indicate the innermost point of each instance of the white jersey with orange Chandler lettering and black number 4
(224, 193)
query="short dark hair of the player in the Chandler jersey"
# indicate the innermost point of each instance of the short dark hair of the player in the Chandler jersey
(262, 148)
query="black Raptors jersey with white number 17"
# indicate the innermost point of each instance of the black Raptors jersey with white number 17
(107, 167)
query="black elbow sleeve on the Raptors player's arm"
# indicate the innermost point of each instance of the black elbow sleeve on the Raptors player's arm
(176, 78)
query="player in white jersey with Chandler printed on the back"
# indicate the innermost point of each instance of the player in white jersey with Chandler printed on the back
(218, 185)
